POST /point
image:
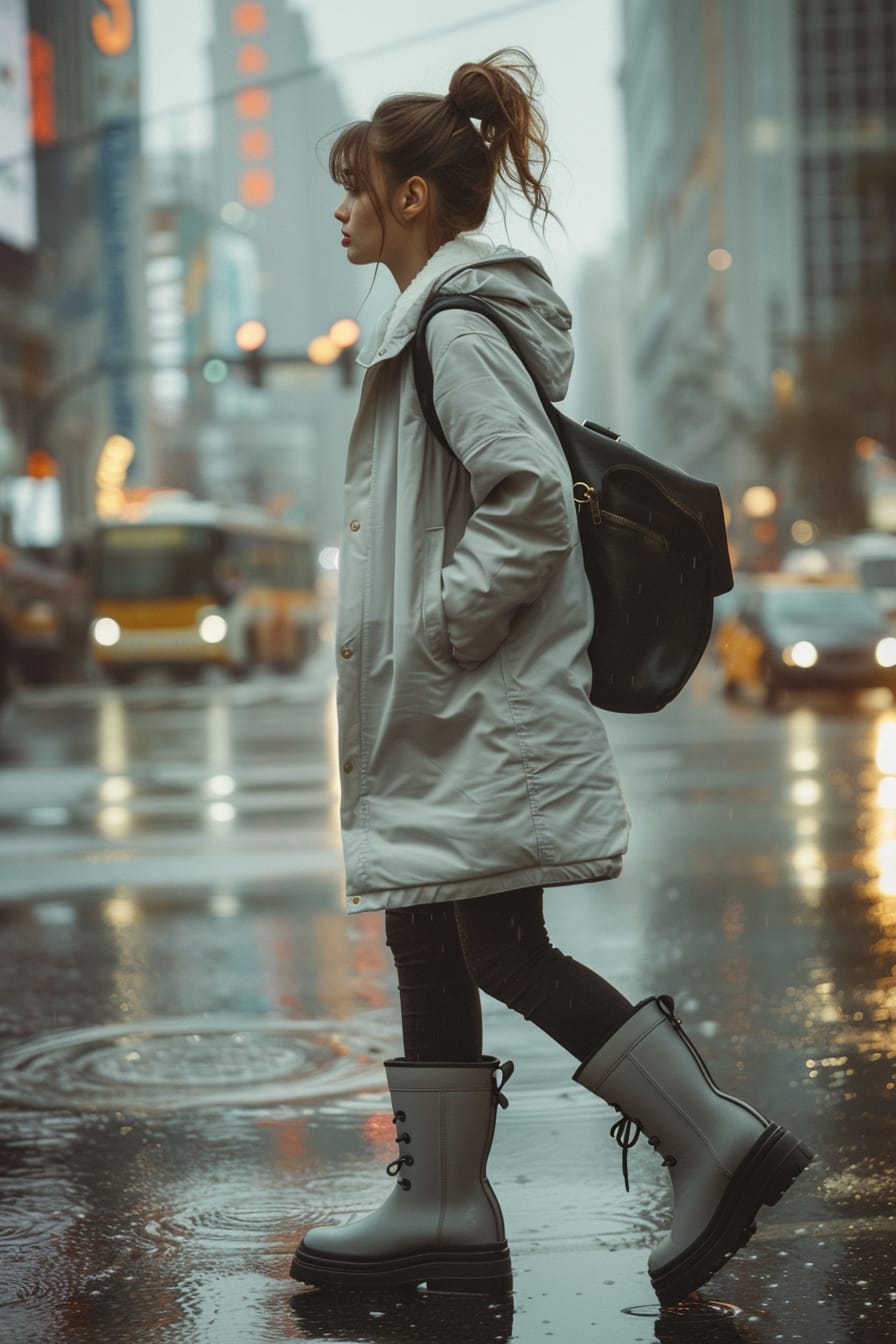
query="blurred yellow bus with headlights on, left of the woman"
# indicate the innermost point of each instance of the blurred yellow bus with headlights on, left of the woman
(190, 584)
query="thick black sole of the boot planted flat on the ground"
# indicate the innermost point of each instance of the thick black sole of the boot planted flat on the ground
(472, 1271)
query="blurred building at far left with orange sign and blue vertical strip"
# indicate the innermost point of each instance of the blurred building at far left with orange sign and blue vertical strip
(72, 298)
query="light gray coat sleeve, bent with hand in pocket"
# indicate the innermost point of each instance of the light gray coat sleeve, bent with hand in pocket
(522, 525)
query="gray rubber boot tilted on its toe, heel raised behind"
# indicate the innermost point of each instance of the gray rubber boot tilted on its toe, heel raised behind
(725, 1159)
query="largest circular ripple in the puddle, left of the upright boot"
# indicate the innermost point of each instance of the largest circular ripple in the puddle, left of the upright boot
(182, 1065)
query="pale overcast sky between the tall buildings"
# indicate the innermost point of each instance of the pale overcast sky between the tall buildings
(576, 45)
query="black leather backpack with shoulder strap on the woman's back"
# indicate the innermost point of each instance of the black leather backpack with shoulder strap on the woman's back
(654, 542)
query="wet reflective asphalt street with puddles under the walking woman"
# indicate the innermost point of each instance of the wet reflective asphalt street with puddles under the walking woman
(191, 1030)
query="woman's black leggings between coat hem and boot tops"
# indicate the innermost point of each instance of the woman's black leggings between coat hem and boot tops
(447, 954)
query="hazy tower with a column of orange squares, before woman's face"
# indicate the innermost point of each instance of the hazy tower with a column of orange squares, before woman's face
(284, 444)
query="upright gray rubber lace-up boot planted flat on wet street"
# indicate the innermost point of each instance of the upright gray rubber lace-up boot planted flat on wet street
(441, 1224)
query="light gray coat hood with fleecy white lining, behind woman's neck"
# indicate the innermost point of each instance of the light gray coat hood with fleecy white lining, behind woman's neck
(512, 282)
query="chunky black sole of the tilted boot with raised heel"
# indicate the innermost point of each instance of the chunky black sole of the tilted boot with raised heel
(769, 1170)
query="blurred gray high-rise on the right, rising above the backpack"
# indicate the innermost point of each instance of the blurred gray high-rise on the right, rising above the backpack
(748, 130)
